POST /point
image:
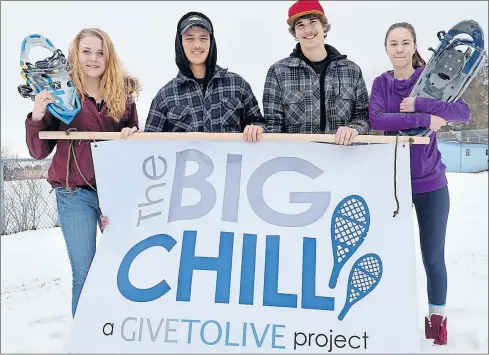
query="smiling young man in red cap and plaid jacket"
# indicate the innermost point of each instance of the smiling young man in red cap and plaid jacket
(315, 89)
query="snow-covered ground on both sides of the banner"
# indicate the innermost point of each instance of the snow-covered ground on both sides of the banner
(36, 281)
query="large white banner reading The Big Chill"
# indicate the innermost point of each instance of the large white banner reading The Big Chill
(227, 247)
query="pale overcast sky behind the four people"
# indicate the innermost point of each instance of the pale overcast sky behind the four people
(250, 36)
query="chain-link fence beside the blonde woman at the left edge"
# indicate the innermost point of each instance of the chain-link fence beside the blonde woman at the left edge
(27, 202)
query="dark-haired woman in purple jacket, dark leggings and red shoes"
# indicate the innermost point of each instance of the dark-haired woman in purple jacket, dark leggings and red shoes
(390, 110)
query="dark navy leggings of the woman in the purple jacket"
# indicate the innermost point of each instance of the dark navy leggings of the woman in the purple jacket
(432, 211)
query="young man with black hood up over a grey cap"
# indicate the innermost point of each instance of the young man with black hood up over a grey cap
(203, 97)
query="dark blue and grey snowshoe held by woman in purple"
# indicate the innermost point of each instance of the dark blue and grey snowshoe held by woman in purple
(451, 68)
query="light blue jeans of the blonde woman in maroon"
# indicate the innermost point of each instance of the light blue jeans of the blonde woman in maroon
(79, 214)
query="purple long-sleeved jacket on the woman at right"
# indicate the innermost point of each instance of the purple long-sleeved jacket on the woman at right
(427, 169)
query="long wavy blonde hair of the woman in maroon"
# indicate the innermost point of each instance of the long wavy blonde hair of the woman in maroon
(117, 87)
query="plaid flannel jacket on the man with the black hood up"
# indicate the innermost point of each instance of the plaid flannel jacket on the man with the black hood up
(227, 106)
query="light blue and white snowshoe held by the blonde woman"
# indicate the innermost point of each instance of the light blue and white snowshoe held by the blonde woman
(50, 74)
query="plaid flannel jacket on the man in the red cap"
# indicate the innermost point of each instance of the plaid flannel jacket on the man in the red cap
(291, 98)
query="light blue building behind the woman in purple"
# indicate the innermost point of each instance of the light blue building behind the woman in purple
(464, 157)
